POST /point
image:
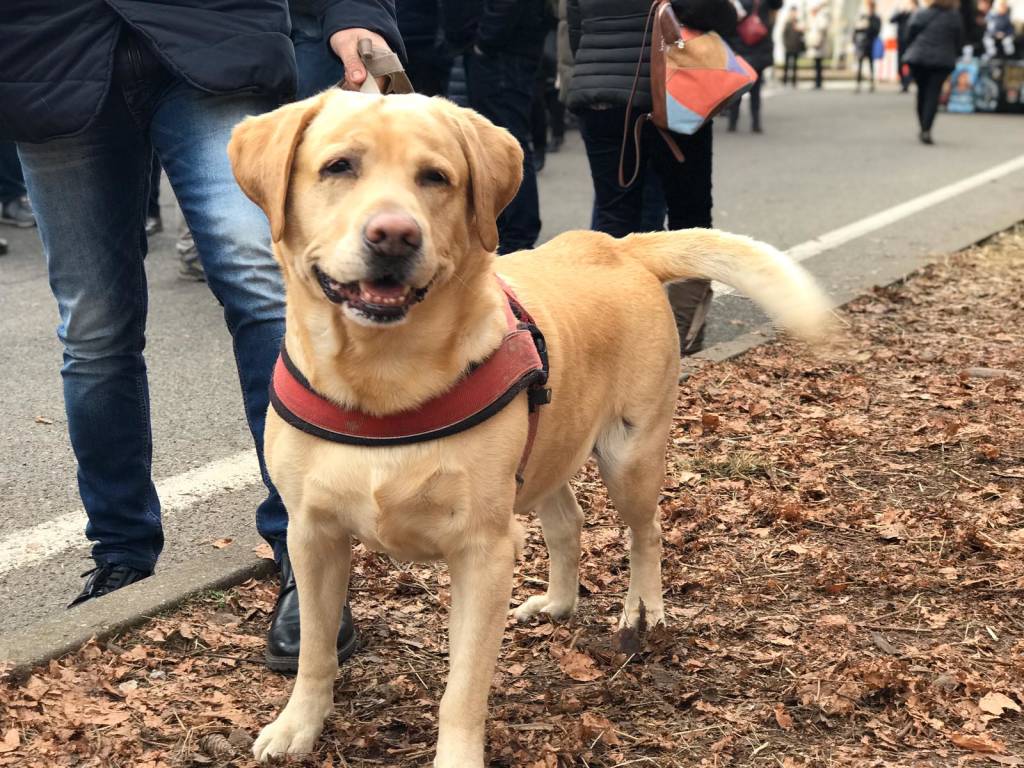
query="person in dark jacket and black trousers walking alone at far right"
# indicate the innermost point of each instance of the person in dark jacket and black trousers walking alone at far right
(935, 36)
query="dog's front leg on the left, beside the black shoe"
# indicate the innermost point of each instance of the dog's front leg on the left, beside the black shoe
(322, 565)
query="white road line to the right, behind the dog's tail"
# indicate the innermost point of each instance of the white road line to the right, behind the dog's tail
(844, 235)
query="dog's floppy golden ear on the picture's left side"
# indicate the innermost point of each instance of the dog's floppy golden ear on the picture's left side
(263, 150)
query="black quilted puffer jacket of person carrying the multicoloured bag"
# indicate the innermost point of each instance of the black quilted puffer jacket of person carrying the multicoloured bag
(607, 35)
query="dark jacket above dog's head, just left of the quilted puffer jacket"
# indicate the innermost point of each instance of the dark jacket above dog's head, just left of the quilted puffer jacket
(515, 27)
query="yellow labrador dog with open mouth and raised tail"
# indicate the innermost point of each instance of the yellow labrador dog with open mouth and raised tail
(383, 216)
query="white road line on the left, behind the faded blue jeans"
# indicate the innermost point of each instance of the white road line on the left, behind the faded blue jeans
(30, 546)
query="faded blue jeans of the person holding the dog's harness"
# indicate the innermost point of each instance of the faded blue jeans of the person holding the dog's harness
(91, 193)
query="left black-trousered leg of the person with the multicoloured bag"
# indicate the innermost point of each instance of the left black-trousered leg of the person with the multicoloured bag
(617, 210)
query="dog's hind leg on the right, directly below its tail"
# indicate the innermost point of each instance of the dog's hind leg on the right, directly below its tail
(631, 458)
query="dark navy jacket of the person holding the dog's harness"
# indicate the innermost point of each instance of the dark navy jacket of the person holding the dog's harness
(57, 56)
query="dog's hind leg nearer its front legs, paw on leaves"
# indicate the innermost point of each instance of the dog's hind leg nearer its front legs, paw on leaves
(562, 520)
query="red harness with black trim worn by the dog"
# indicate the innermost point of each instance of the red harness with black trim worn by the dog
(521, 363)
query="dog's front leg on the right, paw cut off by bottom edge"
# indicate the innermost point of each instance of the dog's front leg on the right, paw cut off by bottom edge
(482, 590)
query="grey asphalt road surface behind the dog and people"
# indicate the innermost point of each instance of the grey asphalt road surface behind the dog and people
(827, 160)
